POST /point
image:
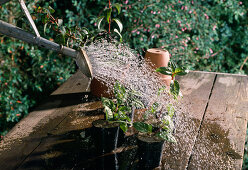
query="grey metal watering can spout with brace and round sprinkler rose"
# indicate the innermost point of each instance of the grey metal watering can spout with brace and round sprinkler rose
(80, 56)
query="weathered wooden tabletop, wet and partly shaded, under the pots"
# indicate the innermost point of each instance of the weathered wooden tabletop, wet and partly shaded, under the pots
(211, 134)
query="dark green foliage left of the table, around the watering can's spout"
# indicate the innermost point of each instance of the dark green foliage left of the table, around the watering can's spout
(27, 73)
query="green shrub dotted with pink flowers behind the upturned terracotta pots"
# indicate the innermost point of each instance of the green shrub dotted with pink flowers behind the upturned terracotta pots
(206, 35)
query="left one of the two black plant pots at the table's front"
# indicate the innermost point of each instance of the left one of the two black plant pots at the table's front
(105, 135)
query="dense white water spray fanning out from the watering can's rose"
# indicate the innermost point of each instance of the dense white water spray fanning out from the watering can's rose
(111, 62)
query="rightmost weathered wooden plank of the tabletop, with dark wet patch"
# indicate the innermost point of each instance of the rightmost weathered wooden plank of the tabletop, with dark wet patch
(220, 144)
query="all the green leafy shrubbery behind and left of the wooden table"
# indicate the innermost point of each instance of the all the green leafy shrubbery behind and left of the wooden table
(209, 35)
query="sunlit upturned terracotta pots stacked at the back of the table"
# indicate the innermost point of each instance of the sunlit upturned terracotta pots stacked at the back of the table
(158, 58)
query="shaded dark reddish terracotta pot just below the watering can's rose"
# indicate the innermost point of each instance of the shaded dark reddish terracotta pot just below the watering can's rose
(100, 89)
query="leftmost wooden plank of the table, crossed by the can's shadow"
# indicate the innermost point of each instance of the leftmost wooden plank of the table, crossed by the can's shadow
(27, 134)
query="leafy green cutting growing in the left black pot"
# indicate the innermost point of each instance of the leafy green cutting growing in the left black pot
(120, 109)
